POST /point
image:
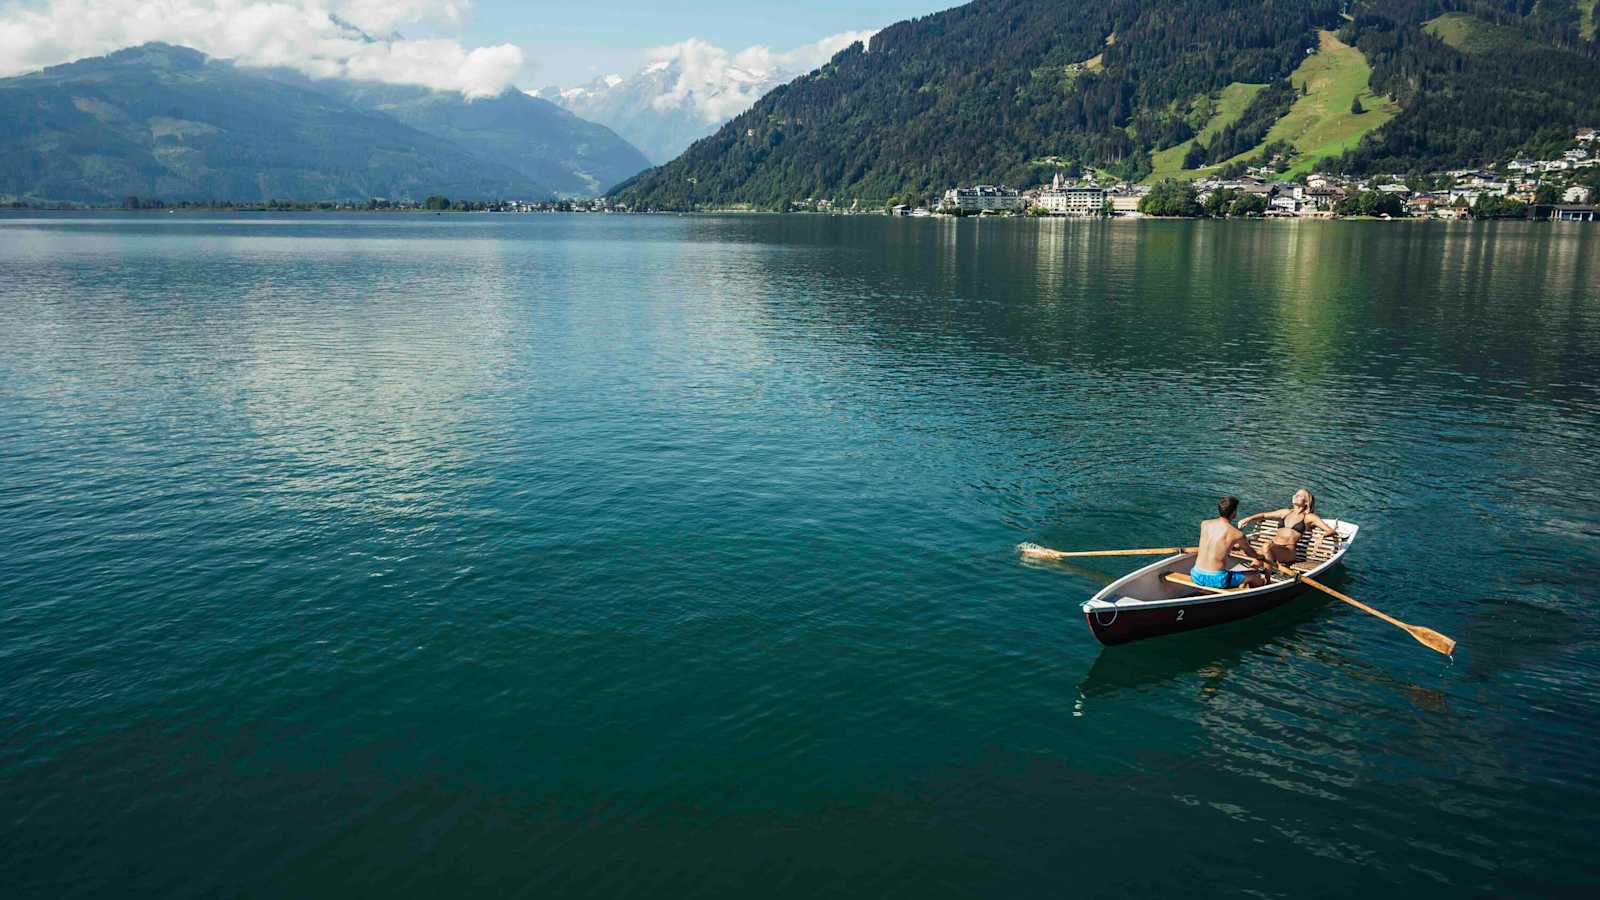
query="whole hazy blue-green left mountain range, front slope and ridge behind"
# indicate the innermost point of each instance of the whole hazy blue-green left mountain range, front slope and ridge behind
(169, 123)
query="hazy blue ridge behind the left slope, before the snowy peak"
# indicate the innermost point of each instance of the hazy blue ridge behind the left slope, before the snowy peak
(526, 134)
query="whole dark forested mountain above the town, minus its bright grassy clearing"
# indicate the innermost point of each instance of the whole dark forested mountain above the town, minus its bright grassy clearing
(1015, 90)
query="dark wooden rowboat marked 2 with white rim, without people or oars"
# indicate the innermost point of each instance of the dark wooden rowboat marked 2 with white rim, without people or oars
(1161, 600)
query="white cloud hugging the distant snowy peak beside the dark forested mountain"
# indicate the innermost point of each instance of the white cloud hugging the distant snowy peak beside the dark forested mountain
(719, 84)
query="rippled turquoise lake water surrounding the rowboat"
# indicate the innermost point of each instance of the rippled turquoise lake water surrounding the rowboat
(583, 556)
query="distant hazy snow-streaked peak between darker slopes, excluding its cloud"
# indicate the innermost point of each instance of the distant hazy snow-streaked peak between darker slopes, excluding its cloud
(665, 108)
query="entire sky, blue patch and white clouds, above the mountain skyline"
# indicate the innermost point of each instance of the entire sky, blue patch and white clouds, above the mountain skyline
(478, 47)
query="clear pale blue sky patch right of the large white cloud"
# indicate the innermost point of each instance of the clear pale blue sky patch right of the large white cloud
(574, 42)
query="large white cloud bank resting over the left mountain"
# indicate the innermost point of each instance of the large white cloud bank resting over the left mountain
(321, 39)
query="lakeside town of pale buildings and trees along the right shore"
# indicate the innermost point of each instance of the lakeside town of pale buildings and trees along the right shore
(1559, 190)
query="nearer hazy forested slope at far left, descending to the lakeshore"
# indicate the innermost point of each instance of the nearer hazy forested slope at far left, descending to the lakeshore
(162, 121)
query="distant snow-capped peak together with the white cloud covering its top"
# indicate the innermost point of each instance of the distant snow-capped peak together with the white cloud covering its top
(689, 90)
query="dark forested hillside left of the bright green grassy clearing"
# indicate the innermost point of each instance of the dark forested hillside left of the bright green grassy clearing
(982, 92)
